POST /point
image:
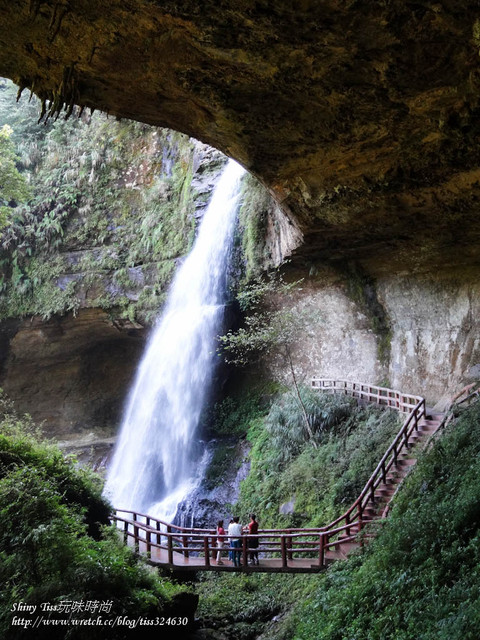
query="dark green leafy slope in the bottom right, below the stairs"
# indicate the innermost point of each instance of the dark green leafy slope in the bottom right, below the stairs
(420, 579)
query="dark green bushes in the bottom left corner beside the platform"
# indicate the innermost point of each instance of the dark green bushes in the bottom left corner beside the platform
(55, 542)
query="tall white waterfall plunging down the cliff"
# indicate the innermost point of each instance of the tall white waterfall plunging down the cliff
(155, 465)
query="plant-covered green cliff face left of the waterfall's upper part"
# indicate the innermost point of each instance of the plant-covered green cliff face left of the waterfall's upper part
(111, 209)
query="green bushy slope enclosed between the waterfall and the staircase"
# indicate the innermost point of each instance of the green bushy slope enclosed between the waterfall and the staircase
(320, 482)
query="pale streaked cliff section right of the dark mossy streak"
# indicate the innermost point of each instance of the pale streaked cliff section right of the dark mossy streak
(435, 320)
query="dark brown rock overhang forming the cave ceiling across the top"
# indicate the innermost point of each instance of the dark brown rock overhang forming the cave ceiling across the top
(362, 117)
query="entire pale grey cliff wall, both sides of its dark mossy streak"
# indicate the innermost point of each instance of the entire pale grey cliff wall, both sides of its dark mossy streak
(431, 345)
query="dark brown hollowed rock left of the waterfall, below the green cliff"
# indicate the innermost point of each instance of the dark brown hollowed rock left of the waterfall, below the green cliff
(72, 373)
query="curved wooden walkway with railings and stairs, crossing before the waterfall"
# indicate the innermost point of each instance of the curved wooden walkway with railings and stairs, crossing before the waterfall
(297, 550)
